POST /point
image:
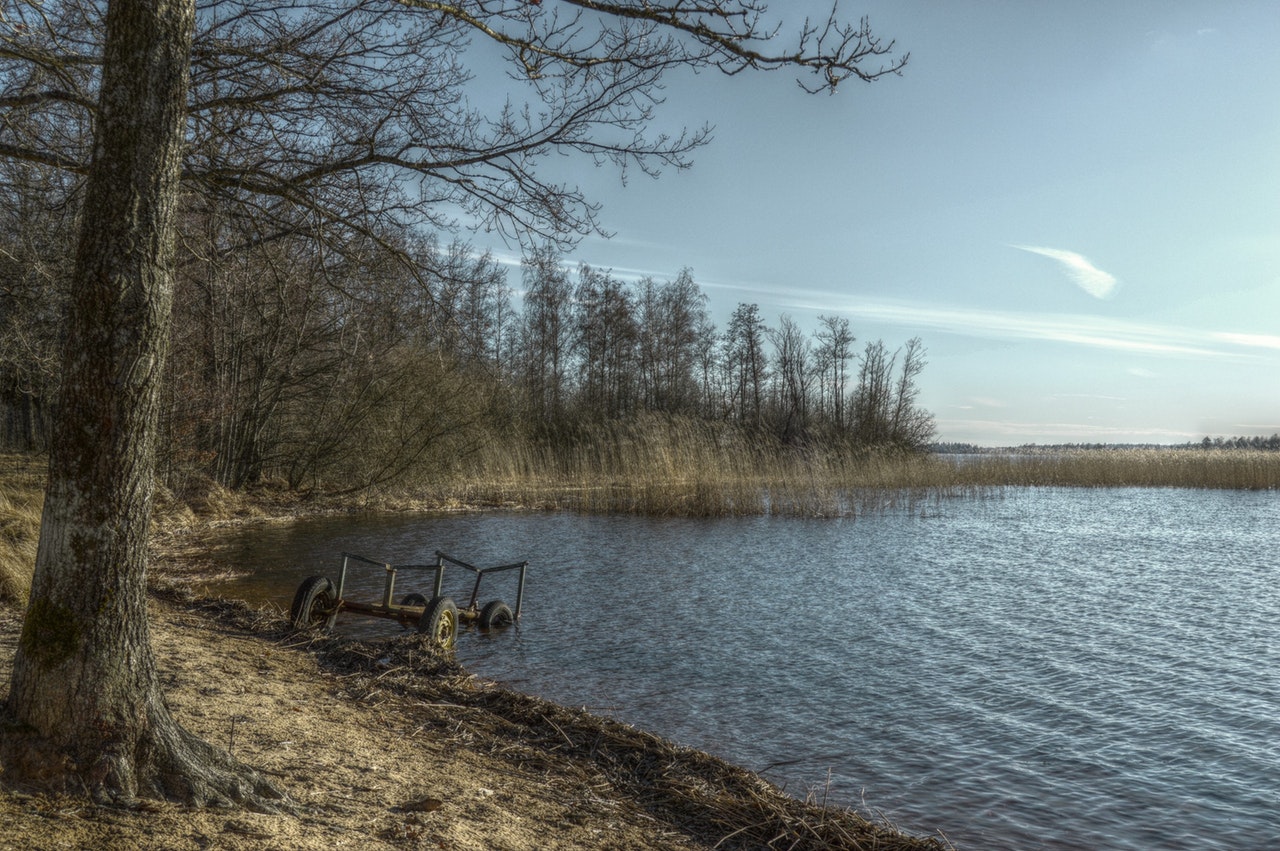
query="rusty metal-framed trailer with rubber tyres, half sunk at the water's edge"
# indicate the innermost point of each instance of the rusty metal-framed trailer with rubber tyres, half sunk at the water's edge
(318, 601)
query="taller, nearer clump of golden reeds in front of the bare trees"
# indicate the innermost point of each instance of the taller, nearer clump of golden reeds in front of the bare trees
(692, 469)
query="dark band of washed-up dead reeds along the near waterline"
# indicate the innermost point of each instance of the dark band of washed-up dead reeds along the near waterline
(721, 804)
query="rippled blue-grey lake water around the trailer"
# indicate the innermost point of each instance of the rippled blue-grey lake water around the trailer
(1044, 670)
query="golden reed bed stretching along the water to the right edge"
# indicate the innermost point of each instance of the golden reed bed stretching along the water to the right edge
(701, 470)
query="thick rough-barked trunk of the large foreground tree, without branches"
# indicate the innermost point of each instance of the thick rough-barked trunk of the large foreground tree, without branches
(84, 694)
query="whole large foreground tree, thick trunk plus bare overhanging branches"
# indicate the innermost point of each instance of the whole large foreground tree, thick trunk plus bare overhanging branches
(303, 116)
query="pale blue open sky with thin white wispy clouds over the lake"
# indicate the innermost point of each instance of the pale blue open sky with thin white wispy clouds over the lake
(1075, 205)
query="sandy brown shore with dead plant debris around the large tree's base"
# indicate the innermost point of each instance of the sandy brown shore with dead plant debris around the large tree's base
(392, 745)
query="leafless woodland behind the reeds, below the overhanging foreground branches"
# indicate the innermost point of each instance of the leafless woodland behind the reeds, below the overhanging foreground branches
(340, 367)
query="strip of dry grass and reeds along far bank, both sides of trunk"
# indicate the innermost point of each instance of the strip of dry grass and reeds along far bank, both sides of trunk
(673, 468)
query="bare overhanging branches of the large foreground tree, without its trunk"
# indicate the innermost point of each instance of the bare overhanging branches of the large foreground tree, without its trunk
(358, 116)
